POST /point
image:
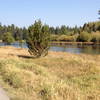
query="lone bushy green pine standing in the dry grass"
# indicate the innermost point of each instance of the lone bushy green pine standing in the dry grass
(38, 39)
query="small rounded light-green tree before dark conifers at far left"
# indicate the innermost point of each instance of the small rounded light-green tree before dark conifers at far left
(8, 38)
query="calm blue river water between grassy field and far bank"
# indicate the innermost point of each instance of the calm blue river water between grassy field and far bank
(68, 48)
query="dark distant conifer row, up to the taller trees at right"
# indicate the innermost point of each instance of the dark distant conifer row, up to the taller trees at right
(21, 33)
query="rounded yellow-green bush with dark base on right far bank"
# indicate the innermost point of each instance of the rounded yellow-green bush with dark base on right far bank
(84, 37)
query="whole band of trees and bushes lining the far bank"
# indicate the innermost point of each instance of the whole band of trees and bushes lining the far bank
(89, 32)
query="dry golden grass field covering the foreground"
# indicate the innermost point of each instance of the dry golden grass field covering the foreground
(58, 76)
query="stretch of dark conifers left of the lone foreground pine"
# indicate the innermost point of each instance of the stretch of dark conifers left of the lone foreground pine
(14, 31)
